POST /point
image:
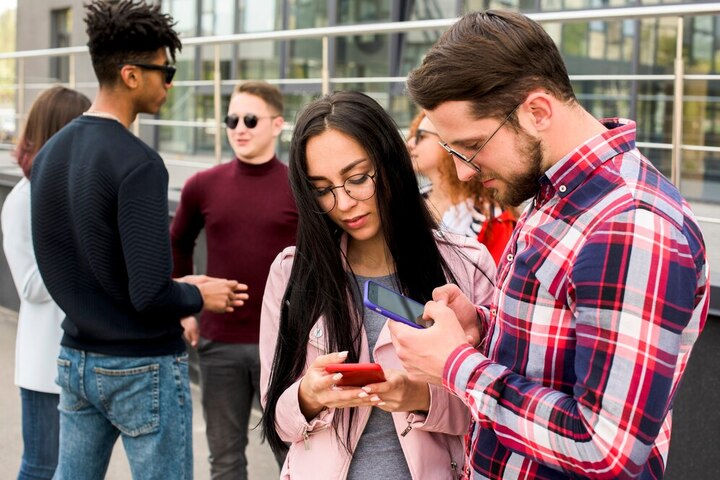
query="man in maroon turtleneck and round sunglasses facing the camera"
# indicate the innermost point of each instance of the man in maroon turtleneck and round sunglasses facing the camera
(249, 216)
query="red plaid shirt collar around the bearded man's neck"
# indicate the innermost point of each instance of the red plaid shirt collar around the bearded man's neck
(572, 170)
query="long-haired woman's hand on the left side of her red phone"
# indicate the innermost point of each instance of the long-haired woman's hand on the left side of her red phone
(318, 389)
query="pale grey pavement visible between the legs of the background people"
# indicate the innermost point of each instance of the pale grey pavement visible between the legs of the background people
(261, 461)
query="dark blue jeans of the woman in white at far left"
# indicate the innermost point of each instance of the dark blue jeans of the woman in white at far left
(41, 429)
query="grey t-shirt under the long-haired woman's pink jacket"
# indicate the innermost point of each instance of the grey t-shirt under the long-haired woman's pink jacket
(378, 453)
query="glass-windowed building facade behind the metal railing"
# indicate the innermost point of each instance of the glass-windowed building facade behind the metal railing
(619, 67)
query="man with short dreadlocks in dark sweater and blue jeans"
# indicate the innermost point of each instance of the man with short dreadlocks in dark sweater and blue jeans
(100, 231)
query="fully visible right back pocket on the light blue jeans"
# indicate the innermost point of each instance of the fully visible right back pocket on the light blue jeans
(131, 397)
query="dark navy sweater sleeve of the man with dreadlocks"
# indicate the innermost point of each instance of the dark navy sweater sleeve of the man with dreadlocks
(145, 240)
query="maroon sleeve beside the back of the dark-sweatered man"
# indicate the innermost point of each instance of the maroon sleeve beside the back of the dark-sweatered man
(185, 228)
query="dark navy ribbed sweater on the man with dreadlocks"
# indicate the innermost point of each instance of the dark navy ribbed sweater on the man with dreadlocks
(100, 234)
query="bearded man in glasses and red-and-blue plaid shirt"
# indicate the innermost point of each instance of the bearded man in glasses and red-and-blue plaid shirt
(572, 371)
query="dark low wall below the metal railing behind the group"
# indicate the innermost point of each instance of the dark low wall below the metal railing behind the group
(696, 432)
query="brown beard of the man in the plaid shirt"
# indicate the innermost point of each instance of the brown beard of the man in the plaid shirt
(523, 186)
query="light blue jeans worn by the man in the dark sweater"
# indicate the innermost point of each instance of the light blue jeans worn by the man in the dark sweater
(144, 400)
